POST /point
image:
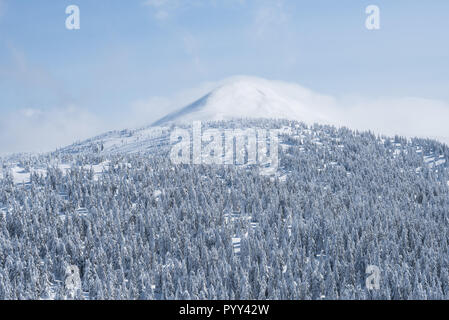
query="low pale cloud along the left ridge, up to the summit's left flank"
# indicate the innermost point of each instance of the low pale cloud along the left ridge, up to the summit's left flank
(41, 130)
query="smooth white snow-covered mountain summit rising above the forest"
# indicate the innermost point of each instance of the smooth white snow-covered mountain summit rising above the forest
(249, 97)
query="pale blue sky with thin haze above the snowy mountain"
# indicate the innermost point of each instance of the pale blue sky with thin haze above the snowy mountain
(127, 52)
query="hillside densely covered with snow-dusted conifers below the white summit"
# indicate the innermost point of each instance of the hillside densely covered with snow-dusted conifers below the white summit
(139, 227)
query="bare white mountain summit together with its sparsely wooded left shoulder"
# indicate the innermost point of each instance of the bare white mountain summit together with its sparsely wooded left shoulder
(237, 98)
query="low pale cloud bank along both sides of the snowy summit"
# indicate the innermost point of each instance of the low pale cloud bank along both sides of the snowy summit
(40, 130)
